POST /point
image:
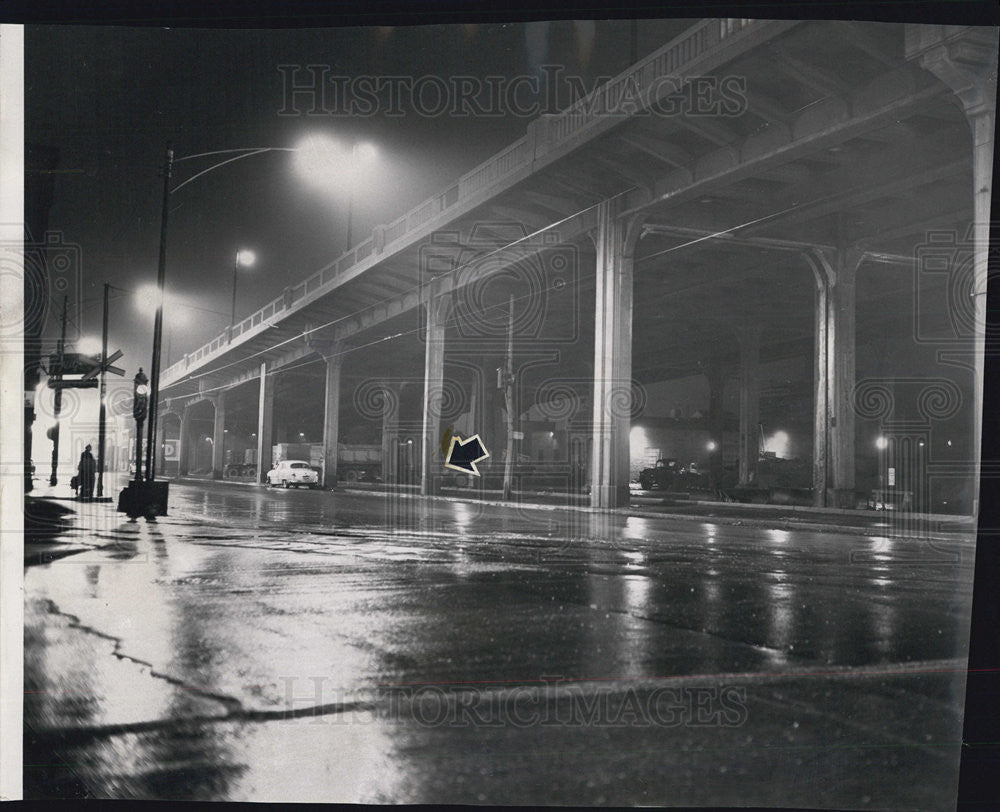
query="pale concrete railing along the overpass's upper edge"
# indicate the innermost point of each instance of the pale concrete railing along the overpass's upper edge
(545, 135)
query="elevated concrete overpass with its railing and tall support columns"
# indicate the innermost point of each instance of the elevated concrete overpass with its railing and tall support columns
(752, 191)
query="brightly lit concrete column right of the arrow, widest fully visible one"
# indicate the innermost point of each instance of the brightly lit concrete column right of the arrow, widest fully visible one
(614, 240)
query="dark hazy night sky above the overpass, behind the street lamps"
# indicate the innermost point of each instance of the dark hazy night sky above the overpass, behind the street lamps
(109, 99)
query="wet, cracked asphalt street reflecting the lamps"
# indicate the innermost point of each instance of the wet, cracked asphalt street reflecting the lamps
(310, 646)
